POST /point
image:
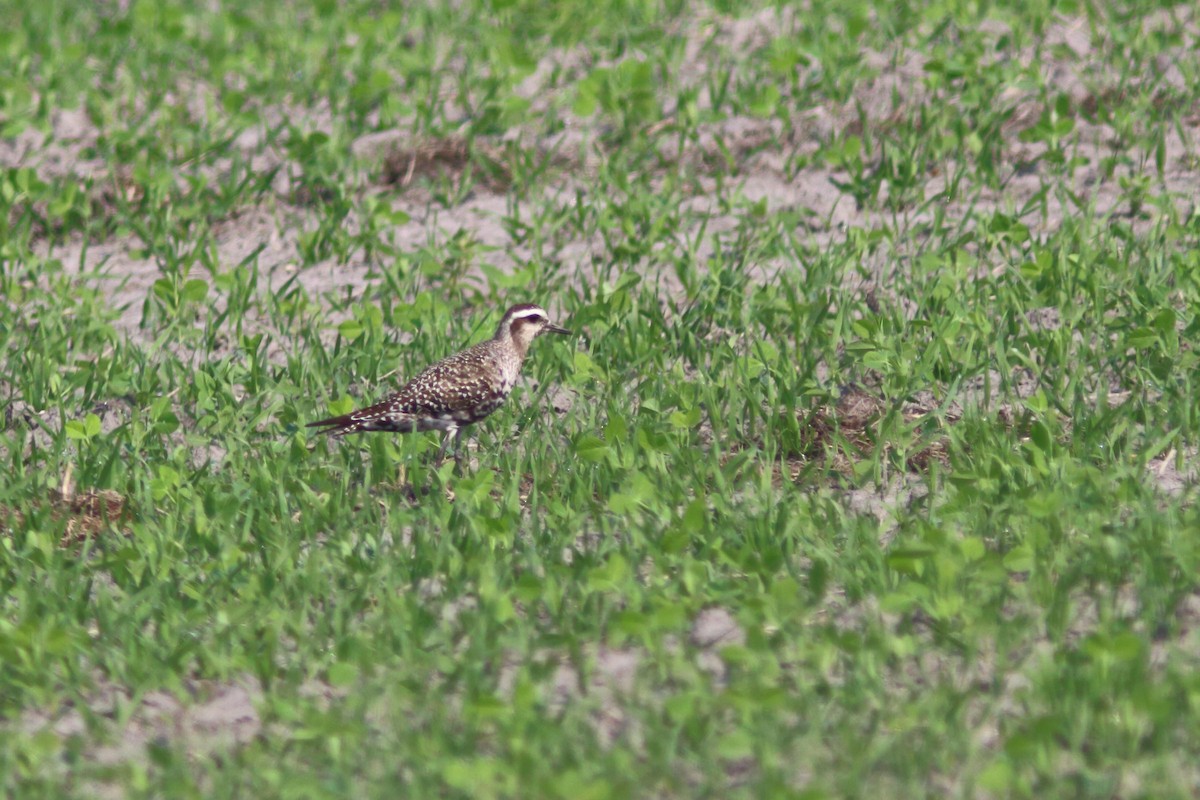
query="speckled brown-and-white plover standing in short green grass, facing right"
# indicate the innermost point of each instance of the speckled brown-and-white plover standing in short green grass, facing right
(457, 392)
